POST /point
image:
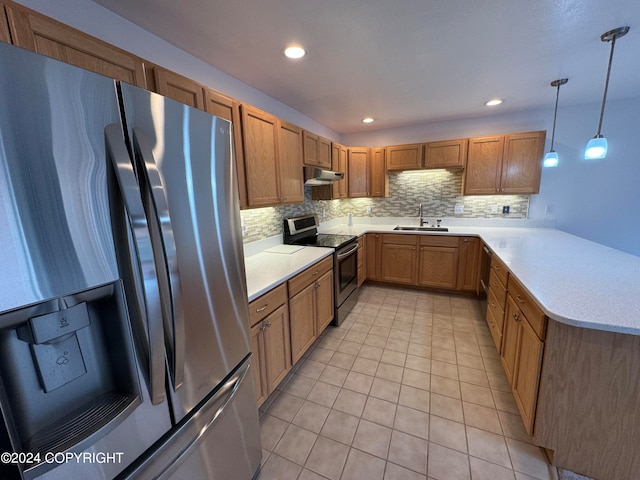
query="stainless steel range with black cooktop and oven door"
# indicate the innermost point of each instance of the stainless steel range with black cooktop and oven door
(304, 231)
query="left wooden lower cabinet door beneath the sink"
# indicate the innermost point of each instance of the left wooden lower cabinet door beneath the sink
(398, 258)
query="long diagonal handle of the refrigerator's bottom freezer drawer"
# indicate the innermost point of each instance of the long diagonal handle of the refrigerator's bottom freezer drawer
(188, 434)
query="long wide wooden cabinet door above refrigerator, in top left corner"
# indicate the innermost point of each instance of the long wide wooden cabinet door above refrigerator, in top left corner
(41, 34)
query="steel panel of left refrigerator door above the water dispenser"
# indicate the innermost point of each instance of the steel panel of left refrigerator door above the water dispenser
(54, 208)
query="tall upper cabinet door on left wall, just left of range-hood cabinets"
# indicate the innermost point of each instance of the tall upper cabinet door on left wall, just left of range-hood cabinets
(290, 163)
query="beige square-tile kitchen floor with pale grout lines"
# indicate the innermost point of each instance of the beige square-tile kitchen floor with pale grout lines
(409, 387)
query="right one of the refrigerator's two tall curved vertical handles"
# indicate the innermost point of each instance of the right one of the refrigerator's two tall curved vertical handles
(165, 248)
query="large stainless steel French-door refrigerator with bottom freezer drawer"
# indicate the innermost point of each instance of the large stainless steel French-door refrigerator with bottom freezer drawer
(124, 331)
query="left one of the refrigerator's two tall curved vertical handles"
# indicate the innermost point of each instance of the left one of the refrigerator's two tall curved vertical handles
(150, 312)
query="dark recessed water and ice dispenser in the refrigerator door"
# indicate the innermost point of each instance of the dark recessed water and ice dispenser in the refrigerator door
(68, 372)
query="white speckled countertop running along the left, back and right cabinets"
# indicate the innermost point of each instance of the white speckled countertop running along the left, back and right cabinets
(574, 281)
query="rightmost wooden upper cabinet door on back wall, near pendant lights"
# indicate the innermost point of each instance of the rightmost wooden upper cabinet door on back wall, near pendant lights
(522, 163)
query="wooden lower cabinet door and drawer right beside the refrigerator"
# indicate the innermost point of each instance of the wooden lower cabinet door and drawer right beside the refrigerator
(270, 342)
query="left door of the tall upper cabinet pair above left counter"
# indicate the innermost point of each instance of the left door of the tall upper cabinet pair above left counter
(260, 137)
